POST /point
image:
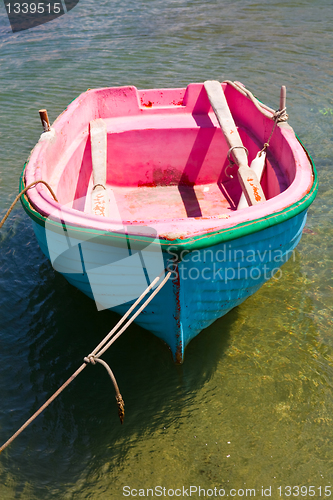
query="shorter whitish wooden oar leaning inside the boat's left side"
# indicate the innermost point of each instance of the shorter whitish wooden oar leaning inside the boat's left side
(99, 195)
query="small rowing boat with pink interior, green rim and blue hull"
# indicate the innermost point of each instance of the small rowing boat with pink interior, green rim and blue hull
(205, 181)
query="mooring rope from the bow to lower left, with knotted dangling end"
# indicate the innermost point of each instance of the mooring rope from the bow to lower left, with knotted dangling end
(94, 357)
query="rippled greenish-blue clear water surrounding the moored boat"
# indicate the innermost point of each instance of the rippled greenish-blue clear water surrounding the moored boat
(252, 404)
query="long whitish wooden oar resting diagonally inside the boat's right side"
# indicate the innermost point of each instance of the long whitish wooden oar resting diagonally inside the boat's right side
(248, 179)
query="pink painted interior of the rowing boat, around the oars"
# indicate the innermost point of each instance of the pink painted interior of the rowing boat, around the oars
(167, 157)
